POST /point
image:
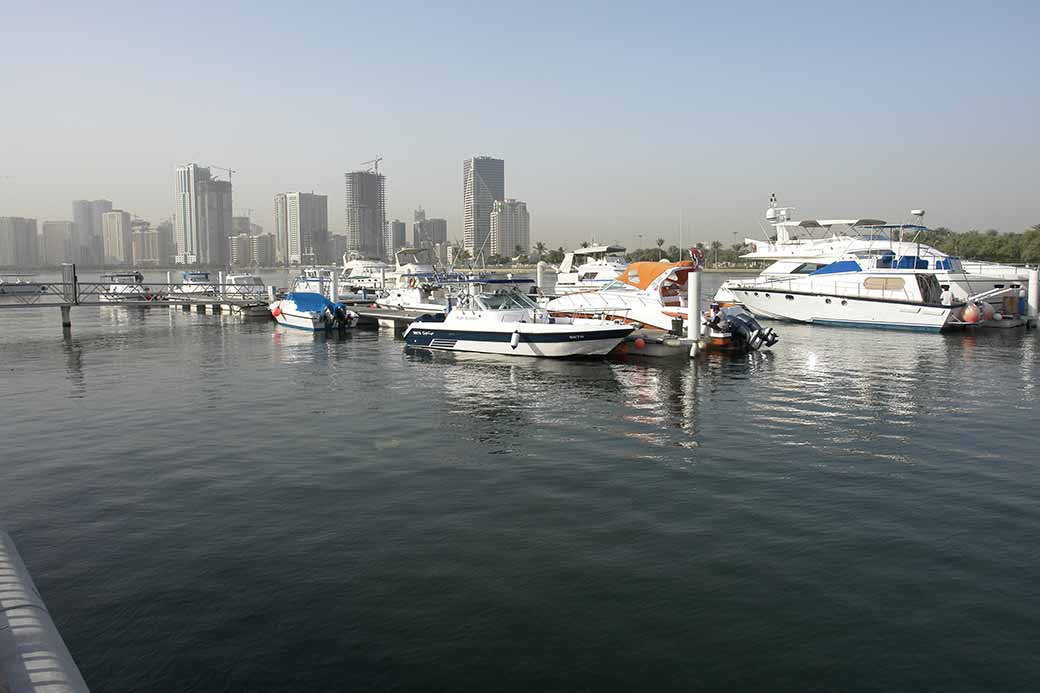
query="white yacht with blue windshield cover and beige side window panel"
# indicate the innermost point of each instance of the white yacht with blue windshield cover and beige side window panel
(857, 291)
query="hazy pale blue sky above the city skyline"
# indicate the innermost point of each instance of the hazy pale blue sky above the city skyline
(610, 120)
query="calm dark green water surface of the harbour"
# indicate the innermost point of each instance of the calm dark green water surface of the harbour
(213, 505)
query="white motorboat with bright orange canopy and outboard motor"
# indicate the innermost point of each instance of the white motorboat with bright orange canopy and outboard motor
(656, 295)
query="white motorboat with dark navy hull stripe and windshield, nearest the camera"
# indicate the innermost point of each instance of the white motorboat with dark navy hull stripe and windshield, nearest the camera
(497, 319)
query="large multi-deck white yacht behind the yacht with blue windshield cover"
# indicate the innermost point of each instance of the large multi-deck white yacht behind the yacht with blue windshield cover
(802, 247)
